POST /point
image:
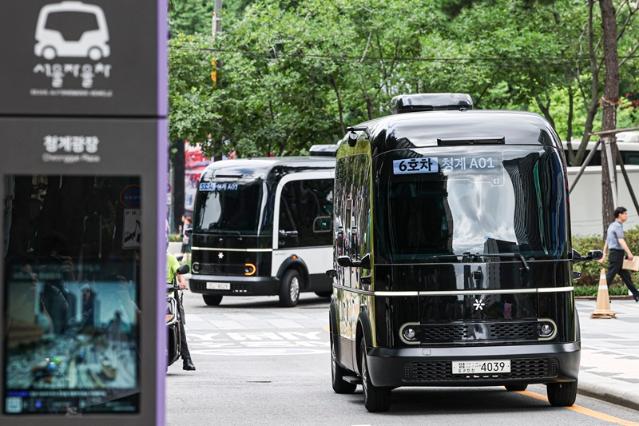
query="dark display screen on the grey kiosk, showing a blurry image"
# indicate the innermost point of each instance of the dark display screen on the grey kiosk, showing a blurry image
(71, 264)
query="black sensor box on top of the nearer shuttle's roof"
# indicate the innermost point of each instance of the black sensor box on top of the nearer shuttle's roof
(431, 102)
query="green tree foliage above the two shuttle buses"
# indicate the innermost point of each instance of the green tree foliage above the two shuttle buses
(292, 73)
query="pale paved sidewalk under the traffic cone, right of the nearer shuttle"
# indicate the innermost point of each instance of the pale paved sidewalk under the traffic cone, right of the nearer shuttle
(610, 353)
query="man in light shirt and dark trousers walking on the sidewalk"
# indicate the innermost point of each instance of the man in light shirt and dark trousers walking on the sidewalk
(615, 249)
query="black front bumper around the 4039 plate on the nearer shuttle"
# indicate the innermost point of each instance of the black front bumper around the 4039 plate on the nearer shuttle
(537, 363)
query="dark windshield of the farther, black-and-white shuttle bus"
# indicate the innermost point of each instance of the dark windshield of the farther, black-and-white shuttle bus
(229, 207)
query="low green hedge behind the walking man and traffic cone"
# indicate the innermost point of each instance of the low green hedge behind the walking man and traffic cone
(590, 270)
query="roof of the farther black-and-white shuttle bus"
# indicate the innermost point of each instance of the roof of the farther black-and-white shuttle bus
(262, 166)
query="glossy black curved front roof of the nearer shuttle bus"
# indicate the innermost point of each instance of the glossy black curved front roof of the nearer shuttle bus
(423, 129)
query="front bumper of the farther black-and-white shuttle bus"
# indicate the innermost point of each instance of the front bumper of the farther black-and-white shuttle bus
(237, 285)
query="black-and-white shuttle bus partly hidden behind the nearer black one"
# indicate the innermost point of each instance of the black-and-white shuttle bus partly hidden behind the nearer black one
(264, 227)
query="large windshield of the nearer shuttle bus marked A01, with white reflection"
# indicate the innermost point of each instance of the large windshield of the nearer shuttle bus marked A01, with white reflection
(438, 203)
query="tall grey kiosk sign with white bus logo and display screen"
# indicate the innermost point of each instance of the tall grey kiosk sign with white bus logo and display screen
(83, 135)
